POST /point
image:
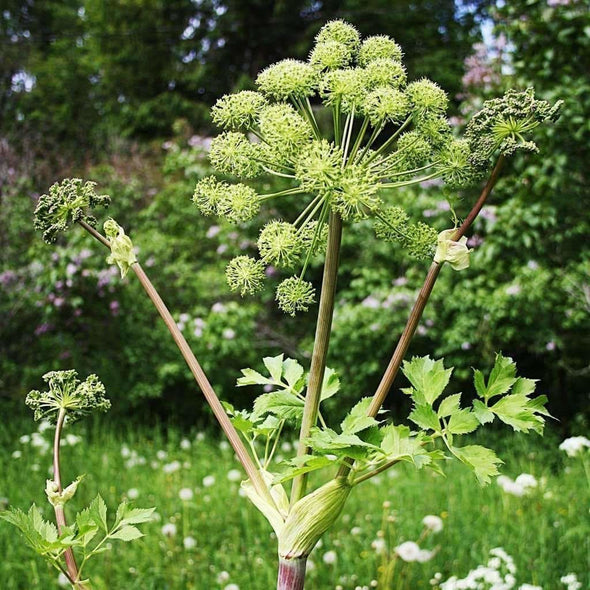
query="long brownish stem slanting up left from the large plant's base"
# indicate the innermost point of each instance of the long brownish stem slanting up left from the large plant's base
(200, 377)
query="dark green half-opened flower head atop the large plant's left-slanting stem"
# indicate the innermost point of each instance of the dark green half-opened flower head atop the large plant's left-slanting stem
(67, 202)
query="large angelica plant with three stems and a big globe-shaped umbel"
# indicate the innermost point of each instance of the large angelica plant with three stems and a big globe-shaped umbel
(385, 133)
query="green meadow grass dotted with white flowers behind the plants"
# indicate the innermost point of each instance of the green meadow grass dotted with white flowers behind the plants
(547, 532)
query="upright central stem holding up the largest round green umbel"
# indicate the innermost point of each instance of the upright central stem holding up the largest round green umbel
(320, 348)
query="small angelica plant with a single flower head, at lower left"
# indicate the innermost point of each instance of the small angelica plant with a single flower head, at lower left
(67, 400)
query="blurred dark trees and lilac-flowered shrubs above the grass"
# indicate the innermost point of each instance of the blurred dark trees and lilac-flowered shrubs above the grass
(119, 92)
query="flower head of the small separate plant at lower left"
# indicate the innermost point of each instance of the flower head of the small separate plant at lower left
(67, 394)
